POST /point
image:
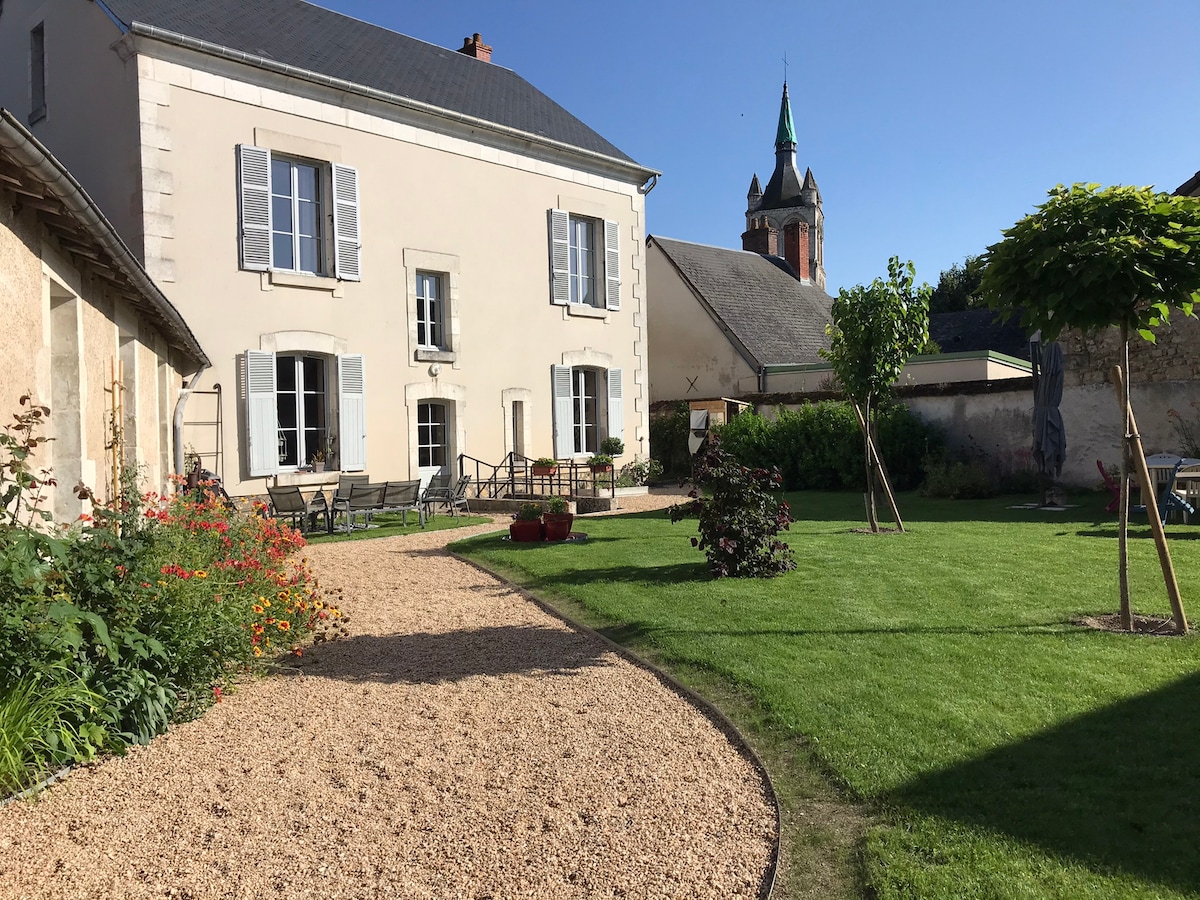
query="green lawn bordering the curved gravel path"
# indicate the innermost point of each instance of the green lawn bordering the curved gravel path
(937, 676)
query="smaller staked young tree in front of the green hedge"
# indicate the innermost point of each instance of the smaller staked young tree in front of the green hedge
(875, 332)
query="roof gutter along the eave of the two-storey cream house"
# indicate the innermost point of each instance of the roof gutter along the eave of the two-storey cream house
(140, 29)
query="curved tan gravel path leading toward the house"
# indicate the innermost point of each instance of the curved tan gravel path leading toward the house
(461, 745)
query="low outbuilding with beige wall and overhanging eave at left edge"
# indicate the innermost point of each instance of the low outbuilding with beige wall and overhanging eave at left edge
(79, 309)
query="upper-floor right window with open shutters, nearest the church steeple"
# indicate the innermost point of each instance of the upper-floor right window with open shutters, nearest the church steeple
(585, 261)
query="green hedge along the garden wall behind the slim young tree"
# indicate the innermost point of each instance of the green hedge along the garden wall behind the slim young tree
(820, 447)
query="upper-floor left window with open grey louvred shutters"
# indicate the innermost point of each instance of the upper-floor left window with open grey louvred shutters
(298, 215)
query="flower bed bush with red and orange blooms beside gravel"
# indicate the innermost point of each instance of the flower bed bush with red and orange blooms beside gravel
(119, 625)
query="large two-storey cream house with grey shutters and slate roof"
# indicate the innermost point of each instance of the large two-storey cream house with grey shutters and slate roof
(393, 253)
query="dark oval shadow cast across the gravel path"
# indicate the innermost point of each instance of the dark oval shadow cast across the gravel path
(454, 656)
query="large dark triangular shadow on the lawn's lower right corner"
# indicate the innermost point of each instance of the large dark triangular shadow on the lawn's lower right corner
(1118, 790)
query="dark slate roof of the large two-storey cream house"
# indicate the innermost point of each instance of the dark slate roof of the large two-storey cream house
(299, 34)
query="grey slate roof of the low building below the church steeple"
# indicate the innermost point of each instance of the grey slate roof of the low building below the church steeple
(755, 299)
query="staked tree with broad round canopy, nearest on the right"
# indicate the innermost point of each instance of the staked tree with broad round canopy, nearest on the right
(1090, 260)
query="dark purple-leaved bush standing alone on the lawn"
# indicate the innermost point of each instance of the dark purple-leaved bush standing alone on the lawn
(741, 521)
